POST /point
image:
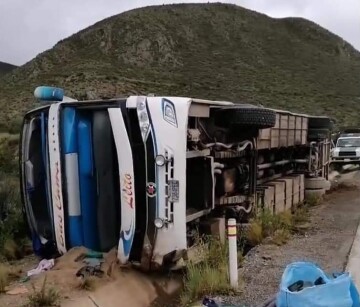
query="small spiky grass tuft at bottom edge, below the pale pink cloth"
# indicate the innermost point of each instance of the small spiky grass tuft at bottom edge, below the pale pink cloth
(45, 297)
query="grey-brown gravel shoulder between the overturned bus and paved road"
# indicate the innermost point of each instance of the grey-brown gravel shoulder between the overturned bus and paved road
(327, 242)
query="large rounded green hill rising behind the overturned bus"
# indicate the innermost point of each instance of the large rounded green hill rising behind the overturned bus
(214, 51)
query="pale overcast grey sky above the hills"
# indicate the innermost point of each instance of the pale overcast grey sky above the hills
(29, 27)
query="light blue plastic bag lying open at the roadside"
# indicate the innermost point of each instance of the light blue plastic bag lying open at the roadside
(338, 291)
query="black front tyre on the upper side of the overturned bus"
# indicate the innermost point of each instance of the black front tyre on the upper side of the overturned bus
(245, 116)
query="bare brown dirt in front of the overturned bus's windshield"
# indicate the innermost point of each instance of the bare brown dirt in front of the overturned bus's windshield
(118, 284)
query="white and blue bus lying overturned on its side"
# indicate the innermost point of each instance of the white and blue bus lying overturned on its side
(144, 173)
